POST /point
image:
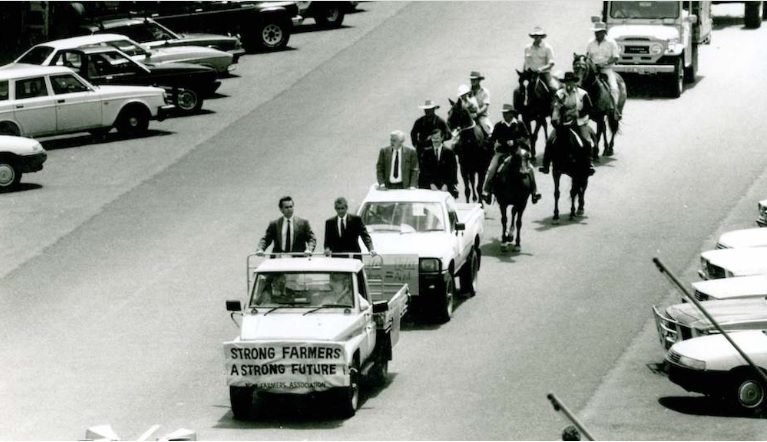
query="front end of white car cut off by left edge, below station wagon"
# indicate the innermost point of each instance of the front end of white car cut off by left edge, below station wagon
(19, 155)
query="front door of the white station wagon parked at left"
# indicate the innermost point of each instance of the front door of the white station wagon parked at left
(78, 106)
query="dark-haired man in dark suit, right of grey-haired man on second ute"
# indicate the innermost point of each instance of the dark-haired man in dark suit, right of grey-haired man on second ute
(440, 167)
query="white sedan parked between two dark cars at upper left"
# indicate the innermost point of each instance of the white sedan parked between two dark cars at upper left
(221, 62)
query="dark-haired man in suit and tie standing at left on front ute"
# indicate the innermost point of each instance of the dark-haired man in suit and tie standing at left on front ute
(290, 234)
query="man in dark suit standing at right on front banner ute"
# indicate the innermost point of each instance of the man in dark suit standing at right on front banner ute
(343, 231)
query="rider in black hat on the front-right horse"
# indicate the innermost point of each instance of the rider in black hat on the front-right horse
(571, 106)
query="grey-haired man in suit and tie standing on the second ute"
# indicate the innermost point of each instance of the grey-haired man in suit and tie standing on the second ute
(397, 165)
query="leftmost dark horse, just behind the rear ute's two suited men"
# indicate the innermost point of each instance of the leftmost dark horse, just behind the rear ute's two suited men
(472, 148)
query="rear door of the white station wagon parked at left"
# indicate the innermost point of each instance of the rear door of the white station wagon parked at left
(34, 106)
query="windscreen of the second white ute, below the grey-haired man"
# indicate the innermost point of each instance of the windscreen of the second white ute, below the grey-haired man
(403, 217)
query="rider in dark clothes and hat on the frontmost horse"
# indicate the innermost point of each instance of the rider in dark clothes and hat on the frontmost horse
(509, 134)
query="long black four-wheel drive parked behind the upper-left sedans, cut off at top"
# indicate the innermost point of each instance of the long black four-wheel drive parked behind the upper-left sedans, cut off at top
(262, 26)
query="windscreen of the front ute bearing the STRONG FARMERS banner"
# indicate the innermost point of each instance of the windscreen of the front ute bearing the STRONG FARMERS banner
(303, 290)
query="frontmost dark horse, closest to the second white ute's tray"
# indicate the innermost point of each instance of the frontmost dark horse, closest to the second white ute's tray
(512, 188)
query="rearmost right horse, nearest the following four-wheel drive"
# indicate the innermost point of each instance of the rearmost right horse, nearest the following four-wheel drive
(605, 113)
